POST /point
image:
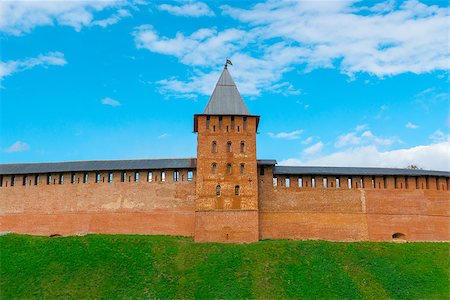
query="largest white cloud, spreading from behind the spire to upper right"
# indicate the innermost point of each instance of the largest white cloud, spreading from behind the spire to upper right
(382, 40)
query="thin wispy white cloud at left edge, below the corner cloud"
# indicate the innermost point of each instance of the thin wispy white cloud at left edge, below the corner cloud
(7, 68)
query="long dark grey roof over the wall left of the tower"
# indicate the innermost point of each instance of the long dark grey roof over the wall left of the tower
(103, 165)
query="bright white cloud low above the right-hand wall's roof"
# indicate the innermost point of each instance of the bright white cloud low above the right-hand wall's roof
(435, 156)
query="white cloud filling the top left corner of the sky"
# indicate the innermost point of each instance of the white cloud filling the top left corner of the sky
(18, 17)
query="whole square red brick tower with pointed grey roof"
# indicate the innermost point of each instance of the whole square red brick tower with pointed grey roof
(226, 187)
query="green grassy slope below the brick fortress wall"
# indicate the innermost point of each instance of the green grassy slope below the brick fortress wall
(133, 266)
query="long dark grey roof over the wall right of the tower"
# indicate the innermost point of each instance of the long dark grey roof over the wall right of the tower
(304, 170)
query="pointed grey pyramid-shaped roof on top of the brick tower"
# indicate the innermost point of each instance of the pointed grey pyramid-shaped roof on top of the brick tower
(226, 100)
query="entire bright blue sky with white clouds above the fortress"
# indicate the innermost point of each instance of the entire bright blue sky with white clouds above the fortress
(349, 83)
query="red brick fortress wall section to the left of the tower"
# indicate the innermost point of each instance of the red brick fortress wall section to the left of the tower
(131, 207)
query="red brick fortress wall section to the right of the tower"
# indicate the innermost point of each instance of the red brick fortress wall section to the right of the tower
(386, 205)
